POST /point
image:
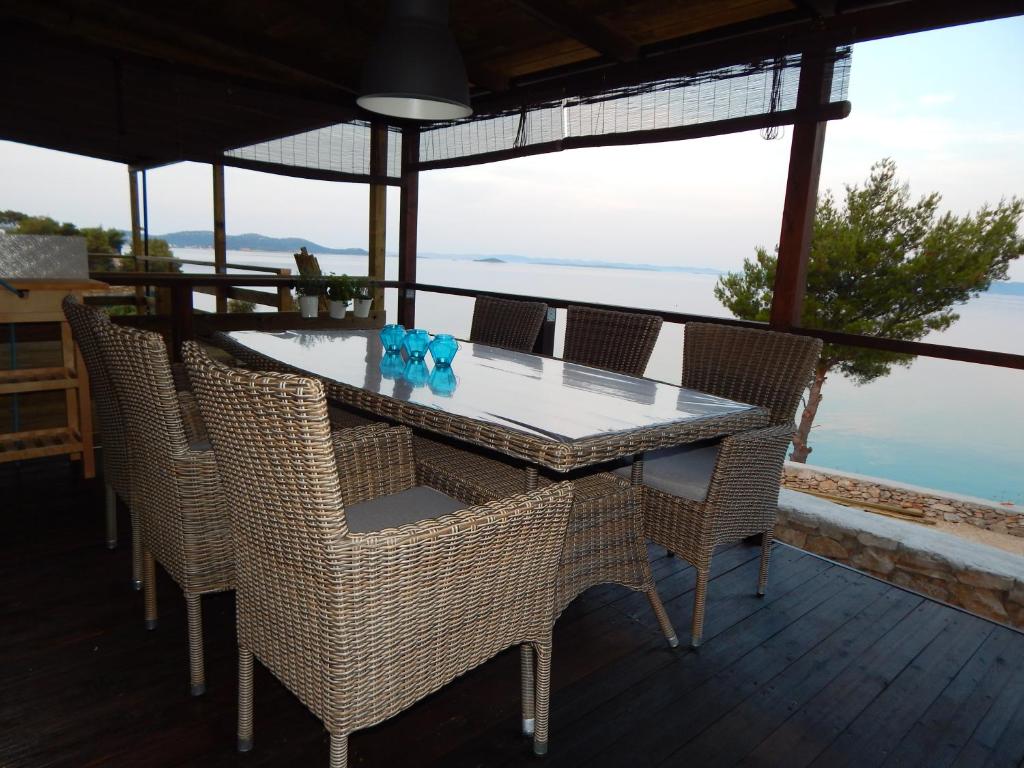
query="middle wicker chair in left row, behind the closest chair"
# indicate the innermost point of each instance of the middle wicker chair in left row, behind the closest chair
(176, 488)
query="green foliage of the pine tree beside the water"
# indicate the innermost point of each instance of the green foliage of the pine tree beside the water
(882, 265)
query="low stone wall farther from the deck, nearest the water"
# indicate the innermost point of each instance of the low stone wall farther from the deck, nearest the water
(1002, 519)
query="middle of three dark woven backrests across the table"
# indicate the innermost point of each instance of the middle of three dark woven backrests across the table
(615, 342)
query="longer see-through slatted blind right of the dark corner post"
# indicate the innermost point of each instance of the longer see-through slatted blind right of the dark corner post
(705, 98)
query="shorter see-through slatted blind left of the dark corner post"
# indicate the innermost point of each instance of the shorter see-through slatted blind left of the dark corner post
(344, 148)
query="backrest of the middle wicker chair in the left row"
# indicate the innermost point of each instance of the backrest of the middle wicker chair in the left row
(144, 385)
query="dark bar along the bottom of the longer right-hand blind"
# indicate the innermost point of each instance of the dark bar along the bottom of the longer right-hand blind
(834, 111)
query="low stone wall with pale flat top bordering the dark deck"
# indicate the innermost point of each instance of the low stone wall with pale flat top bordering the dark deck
(979, 579)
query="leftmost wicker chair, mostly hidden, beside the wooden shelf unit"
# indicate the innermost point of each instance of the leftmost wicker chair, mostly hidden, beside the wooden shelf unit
(117, 470)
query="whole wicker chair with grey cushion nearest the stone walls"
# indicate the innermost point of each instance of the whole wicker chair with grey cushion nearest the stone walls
(698, 498)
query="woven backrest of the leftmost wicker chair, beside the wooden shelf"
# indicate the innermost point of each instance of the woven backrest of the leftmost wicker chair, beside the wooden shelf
(84, 322)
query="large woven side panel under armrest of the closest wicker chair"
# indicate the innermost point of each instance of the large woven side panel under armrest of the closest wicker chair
(443, 596)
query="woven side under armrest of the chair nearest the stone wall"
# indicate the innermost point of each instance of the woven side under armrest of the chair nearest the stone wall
(748, 475)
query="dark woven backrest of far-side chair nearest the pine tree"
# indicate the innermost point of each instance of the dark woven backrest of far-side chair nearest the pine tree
(763, 368)
